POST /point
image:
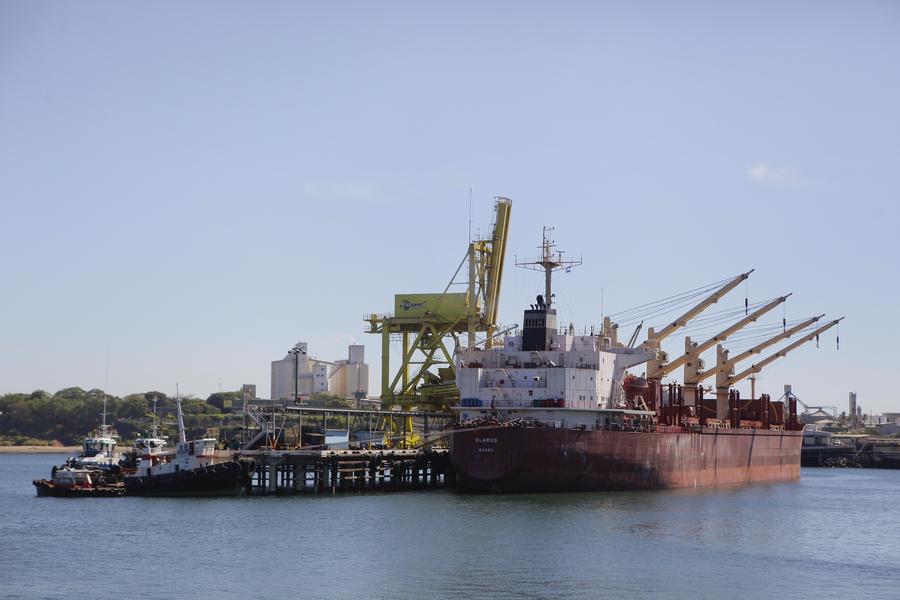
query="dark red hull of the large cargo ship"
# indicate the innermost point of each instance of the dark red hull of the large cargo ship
(525, 459)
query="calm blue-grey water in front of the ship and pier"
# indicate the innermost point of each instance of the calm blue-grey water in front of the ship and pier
(834, 534)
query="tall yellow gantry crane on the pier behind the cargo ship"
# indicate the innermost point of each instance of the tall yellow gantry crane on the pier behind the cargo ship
(429, 326)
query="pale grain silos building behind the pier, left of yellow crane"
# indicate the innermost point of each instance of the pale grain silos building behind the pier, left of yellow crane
(300, 375)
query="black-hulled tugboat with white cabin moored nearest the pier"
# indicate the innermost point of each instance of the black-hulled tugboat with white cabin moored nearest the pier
(193, 468)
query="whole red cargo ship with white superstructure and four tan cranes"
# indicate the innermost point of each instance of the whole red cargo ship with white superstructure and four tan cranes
(546, 410)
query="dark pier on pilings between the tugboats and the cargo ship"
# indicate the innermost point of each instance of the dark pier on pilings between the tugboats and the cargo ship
(291, 452)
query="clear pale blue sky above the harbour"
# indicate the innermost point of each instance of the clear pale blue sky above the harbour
(189, 188)
